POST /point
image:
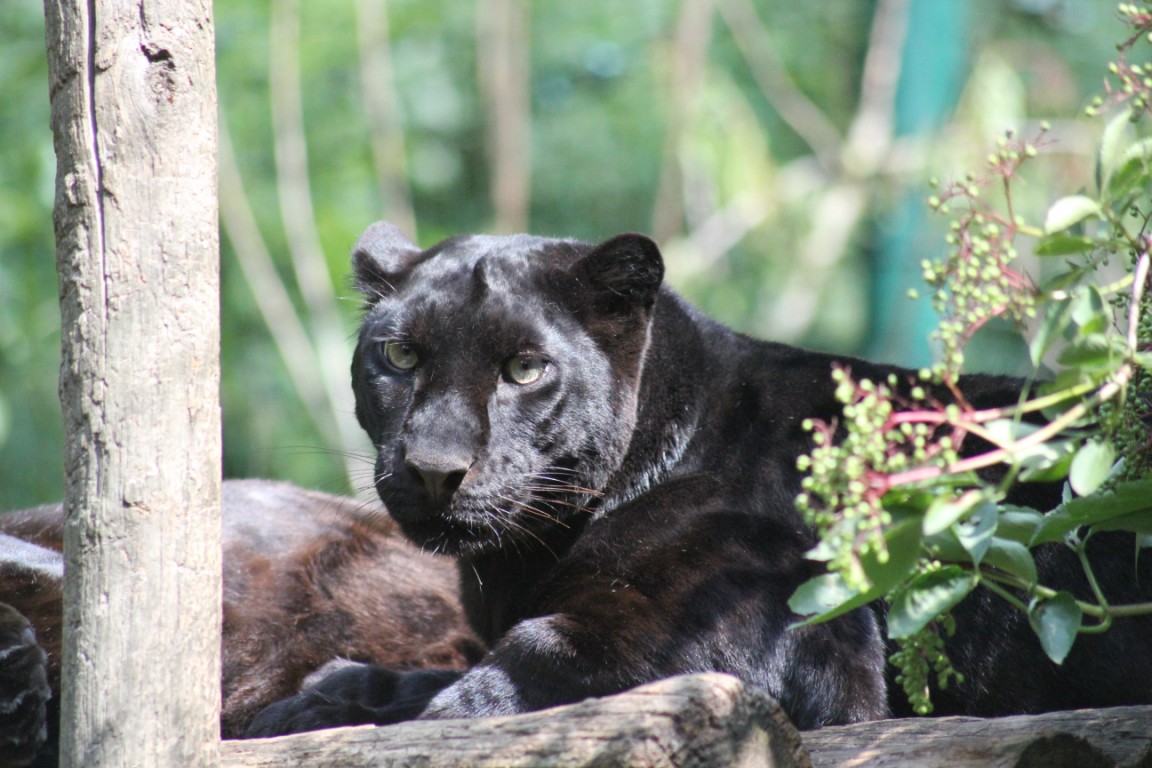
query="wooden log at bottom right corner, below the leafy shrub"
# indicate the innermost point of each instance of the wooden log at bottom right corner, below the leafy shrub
(1119, 737)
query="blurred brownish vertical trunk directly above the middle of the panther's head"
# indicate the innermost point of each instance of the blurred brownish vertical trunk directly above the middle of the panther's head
(503, 54)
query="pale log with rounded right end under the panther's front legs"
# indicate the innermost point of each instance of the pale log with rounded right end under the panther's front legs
(694, 721)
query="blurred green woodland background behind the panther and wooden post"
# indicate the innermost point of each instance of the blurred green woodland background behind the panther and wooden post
(779, 151)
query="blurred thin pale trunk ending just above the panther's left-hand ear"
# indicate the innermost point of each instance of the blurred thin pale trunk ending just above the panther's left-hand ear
(382, 108)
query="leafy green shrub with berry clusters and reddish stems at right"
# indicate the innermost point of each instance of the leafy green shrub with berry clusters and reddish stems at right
(908, 507)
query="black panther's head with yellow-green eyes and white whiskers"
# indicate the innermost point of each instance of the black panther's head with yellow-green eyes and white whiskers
(498, 378)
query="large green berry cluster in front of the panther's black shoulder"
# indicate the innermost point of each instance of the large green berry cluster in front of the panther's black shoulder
(853, 465)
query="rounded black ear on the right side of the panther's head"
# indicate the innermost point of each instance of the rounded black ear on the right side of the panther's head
(626, 272)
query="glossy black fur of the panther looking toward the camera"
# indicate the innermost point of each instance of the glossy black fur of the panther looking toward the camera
(630, 515)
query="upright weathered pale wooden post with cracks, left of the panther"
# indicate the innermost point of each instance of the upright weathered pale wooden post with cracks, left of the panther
(134, 118)
